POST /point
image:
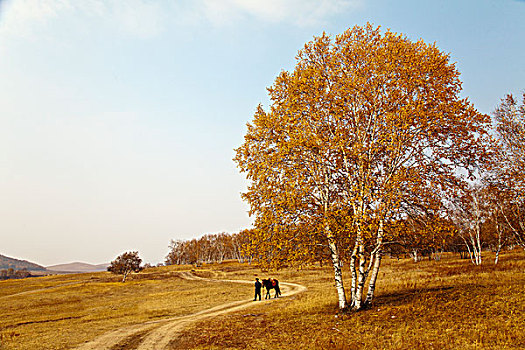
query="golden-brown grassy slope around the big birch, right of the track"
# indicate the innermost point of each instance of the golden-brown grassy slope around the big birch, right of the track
(429, 305)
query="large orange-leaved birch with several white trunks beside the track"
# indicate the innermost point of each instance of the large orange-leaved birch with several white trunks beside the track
(364, 124)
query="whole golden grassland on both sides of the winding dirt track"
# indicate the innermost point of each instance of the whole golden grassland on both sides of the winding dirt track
(450, 304)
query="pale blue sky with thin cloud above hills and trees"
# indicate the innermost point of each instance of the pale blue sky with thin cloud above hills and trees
(118, 119)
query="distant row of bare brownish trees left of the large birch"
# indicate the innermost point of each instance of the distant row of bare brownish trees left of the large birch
(210, 248)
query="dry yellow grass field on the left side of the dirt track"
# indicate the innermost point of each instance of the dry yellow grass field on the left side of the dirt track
(59, 312)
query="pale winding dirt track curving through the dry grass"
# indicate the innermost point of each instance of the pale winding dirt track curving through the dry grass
(156, 335)
